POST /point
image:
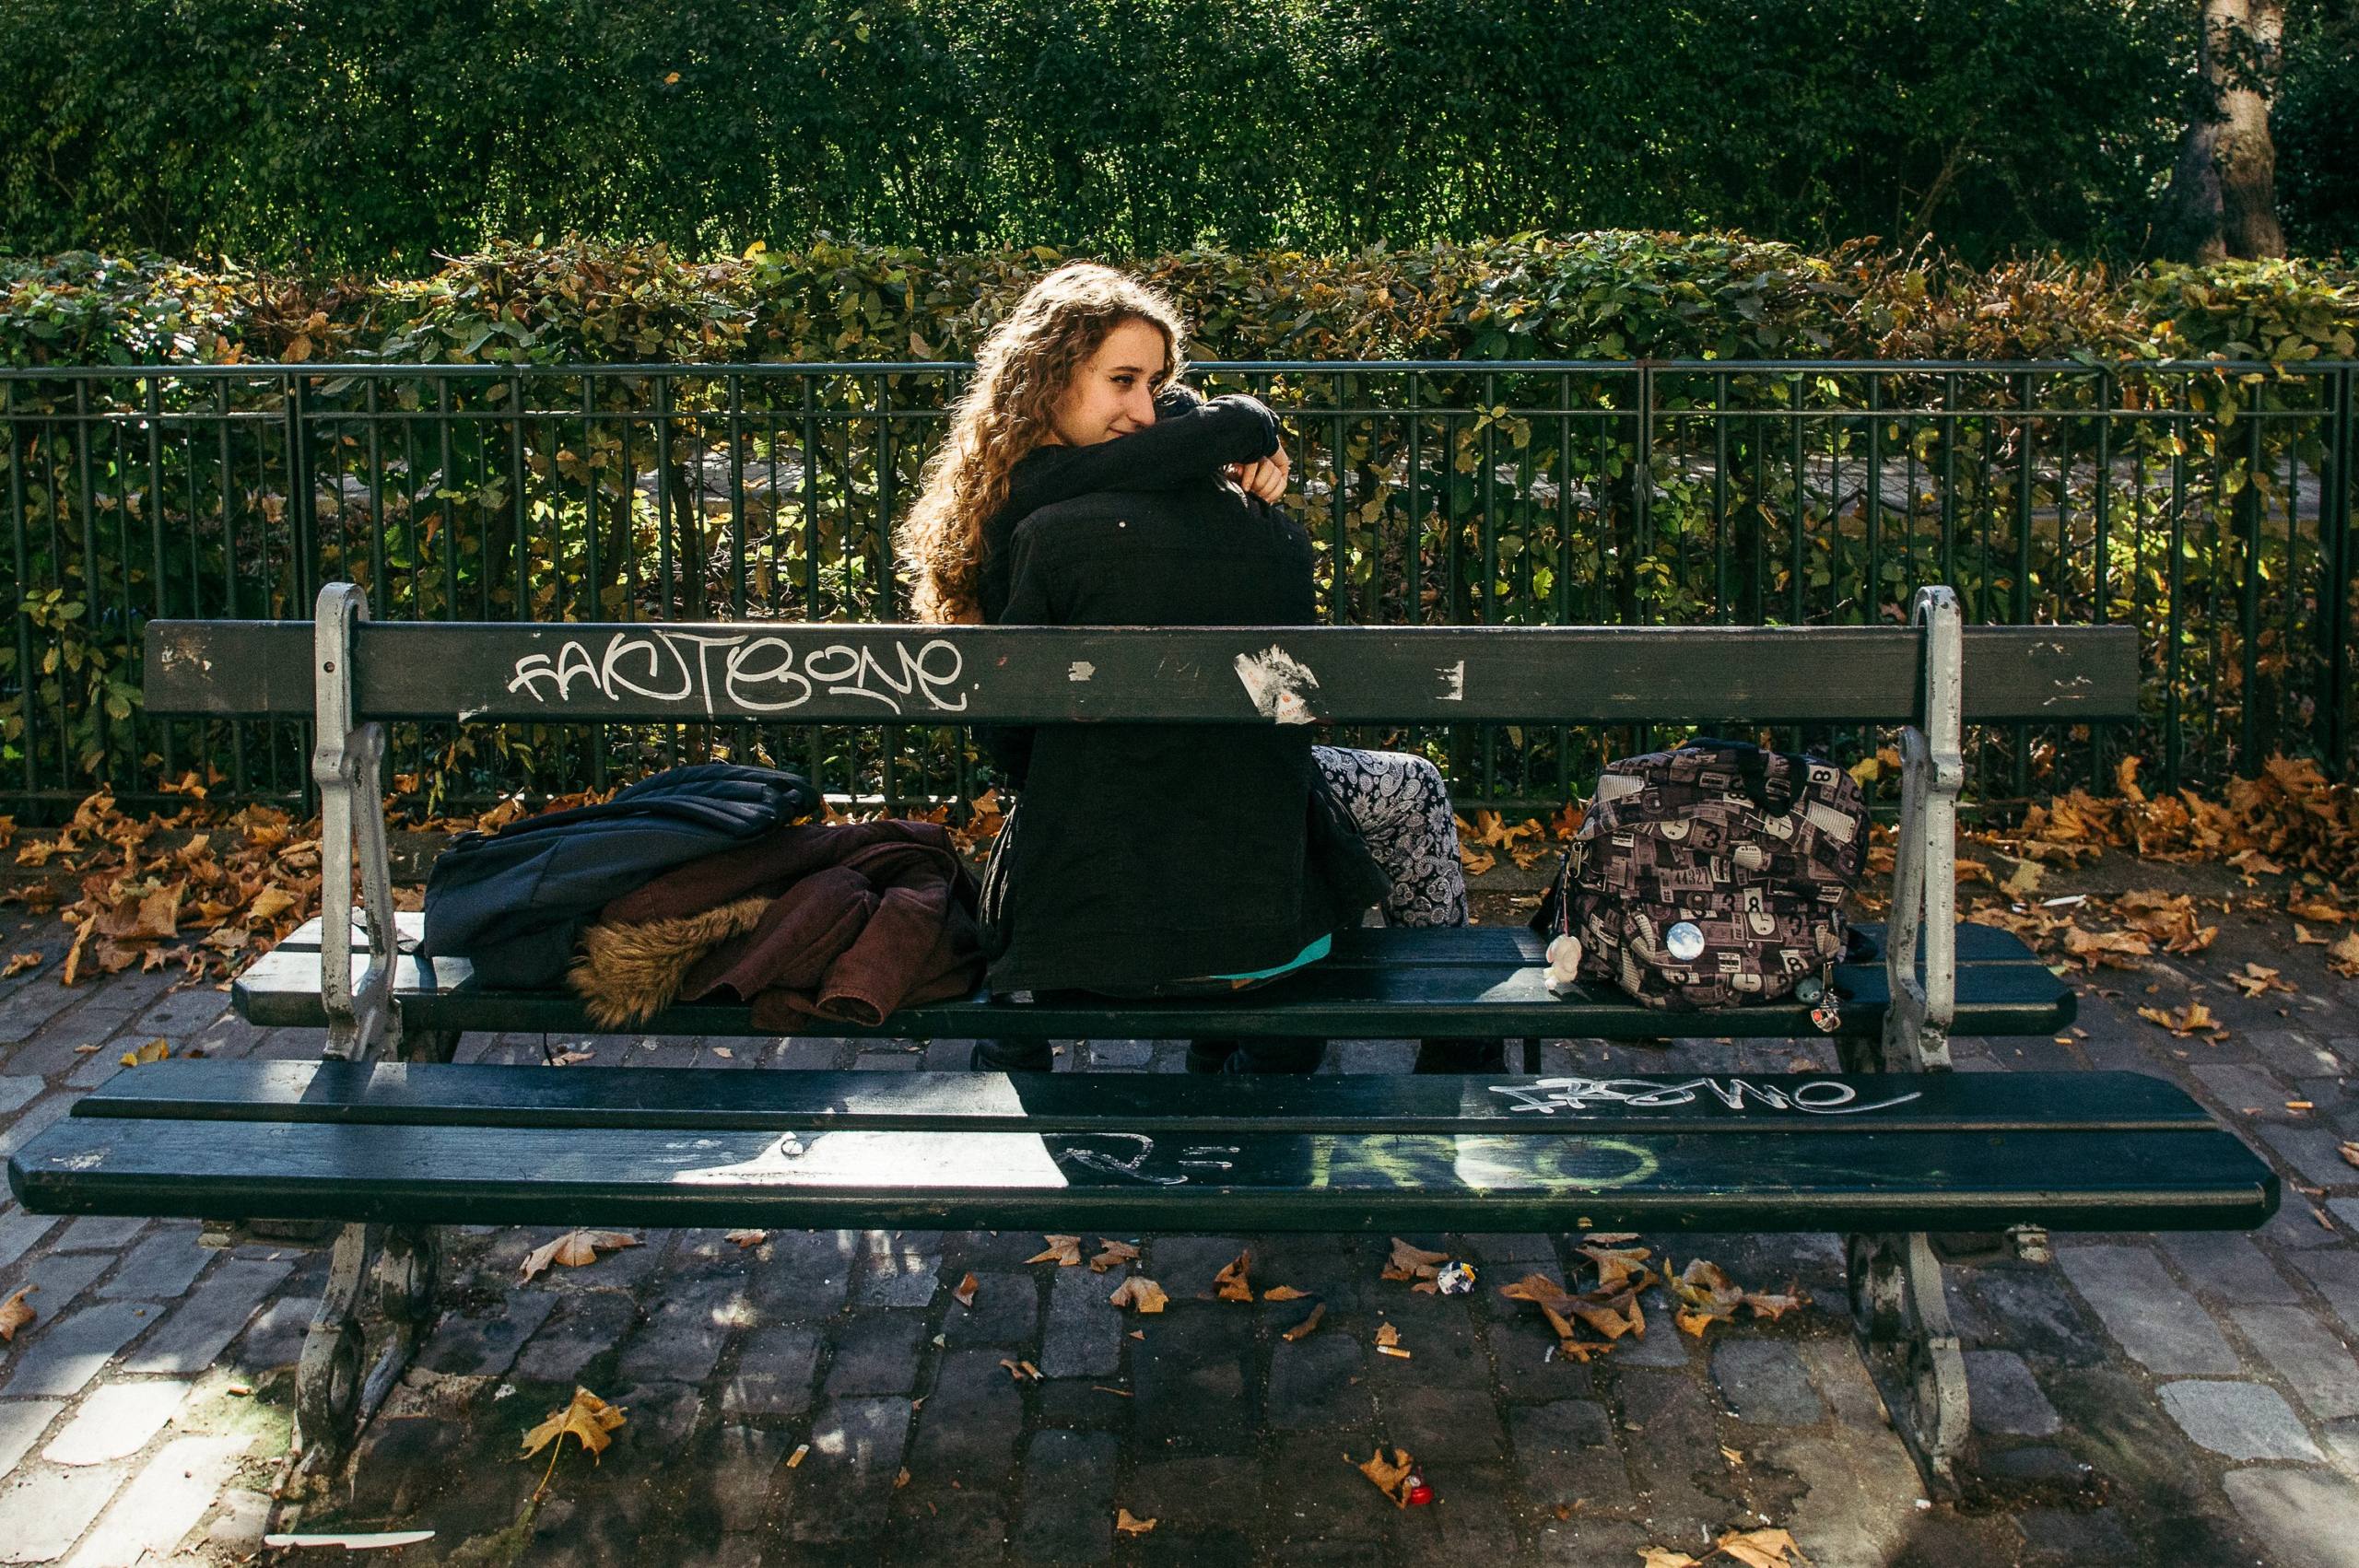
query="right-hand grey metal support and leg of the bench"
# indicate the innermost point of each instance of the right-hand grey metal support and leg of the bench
(1898, 1307)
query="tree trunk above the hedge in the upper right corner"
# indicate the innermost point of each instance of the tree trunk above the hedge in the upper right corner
(2223, 192)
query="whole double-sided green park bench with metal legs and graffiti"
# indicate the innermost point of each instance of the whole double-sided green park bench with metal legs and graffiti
(390, 1138)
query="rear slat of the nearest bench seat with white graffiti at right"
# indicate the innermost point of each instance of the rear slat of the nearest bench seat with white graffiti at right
(390, 1093)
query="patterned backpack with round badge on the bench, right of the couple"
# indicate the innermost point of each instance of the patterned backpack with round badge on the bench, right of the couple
(1711, 876)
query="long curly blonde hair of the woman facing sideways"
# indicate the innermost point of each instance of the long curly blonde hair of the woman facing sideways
(1008, 411)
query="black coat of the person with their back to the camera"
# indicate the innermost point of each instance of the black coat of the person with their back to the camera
(1143, 855)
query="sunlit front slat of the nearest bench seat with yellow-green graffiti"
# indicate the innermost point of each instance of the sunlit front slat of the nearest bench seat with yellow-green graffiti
(1235, 1182)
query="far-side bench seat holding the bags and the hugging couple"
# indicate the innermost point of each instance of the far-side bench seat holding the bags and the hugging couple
(1329, 1003)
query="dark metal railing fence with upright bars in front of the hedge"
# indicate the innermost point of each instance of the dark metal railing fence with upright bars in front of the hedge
(2202, 506)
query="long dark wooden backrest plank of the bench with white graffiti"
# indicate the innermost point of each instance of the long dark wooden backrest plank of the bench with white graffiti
(1167, 676)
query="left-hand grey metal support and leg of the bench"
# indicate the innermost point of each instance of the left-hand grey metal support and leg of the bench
(376, 1274)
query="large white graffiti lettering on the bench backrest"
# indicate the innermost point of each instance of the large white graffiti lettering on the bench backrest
(747, 673)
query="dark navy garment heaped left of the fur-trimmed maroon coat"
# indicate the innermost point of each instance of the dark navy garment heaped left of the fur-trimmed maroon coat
(515, 902)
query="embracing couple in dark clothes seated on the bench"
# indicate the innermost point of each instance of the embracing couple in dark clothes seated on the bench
(1159, 859)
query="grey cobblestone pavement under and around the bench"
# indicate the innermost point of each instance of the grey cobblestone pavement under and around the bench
(2138, 1402)
